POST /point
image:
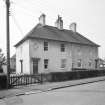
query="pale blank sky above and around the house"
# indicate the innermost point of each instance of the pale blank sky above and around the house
(88, 14)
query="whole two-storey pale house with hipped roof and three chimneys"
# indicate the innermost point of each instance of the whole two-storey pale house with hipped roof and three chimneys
(54, 49)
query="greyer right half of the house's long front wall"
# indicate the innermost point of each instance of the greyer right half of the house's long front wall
(85, 53)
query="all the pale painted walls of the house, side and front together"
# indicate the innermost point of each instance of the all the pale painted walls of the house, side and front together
(34, 48)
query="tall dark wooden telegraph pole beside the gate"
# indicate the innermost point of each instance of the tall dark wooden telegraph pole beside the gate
(8, 42)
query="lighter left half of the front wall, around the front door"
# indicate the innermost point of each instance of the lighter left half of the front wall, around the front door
(54, 55)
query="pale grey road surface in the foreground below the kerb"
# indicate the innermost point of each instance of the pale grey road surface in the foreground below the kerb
(86, 94)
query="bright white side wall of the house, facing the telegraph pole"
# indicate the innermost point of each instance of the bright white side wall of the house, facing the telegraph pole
(22, 52)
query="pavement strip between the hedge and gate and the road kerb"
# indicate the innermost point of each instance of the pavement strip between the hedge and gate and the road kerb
(48, 86)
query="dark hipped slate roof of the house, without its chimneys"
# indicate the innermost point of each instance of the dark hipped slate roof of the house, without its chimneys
(53, 33)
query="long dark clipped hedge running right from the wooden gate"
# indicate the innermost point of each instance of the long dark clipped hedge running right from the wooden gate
(72, 75)
